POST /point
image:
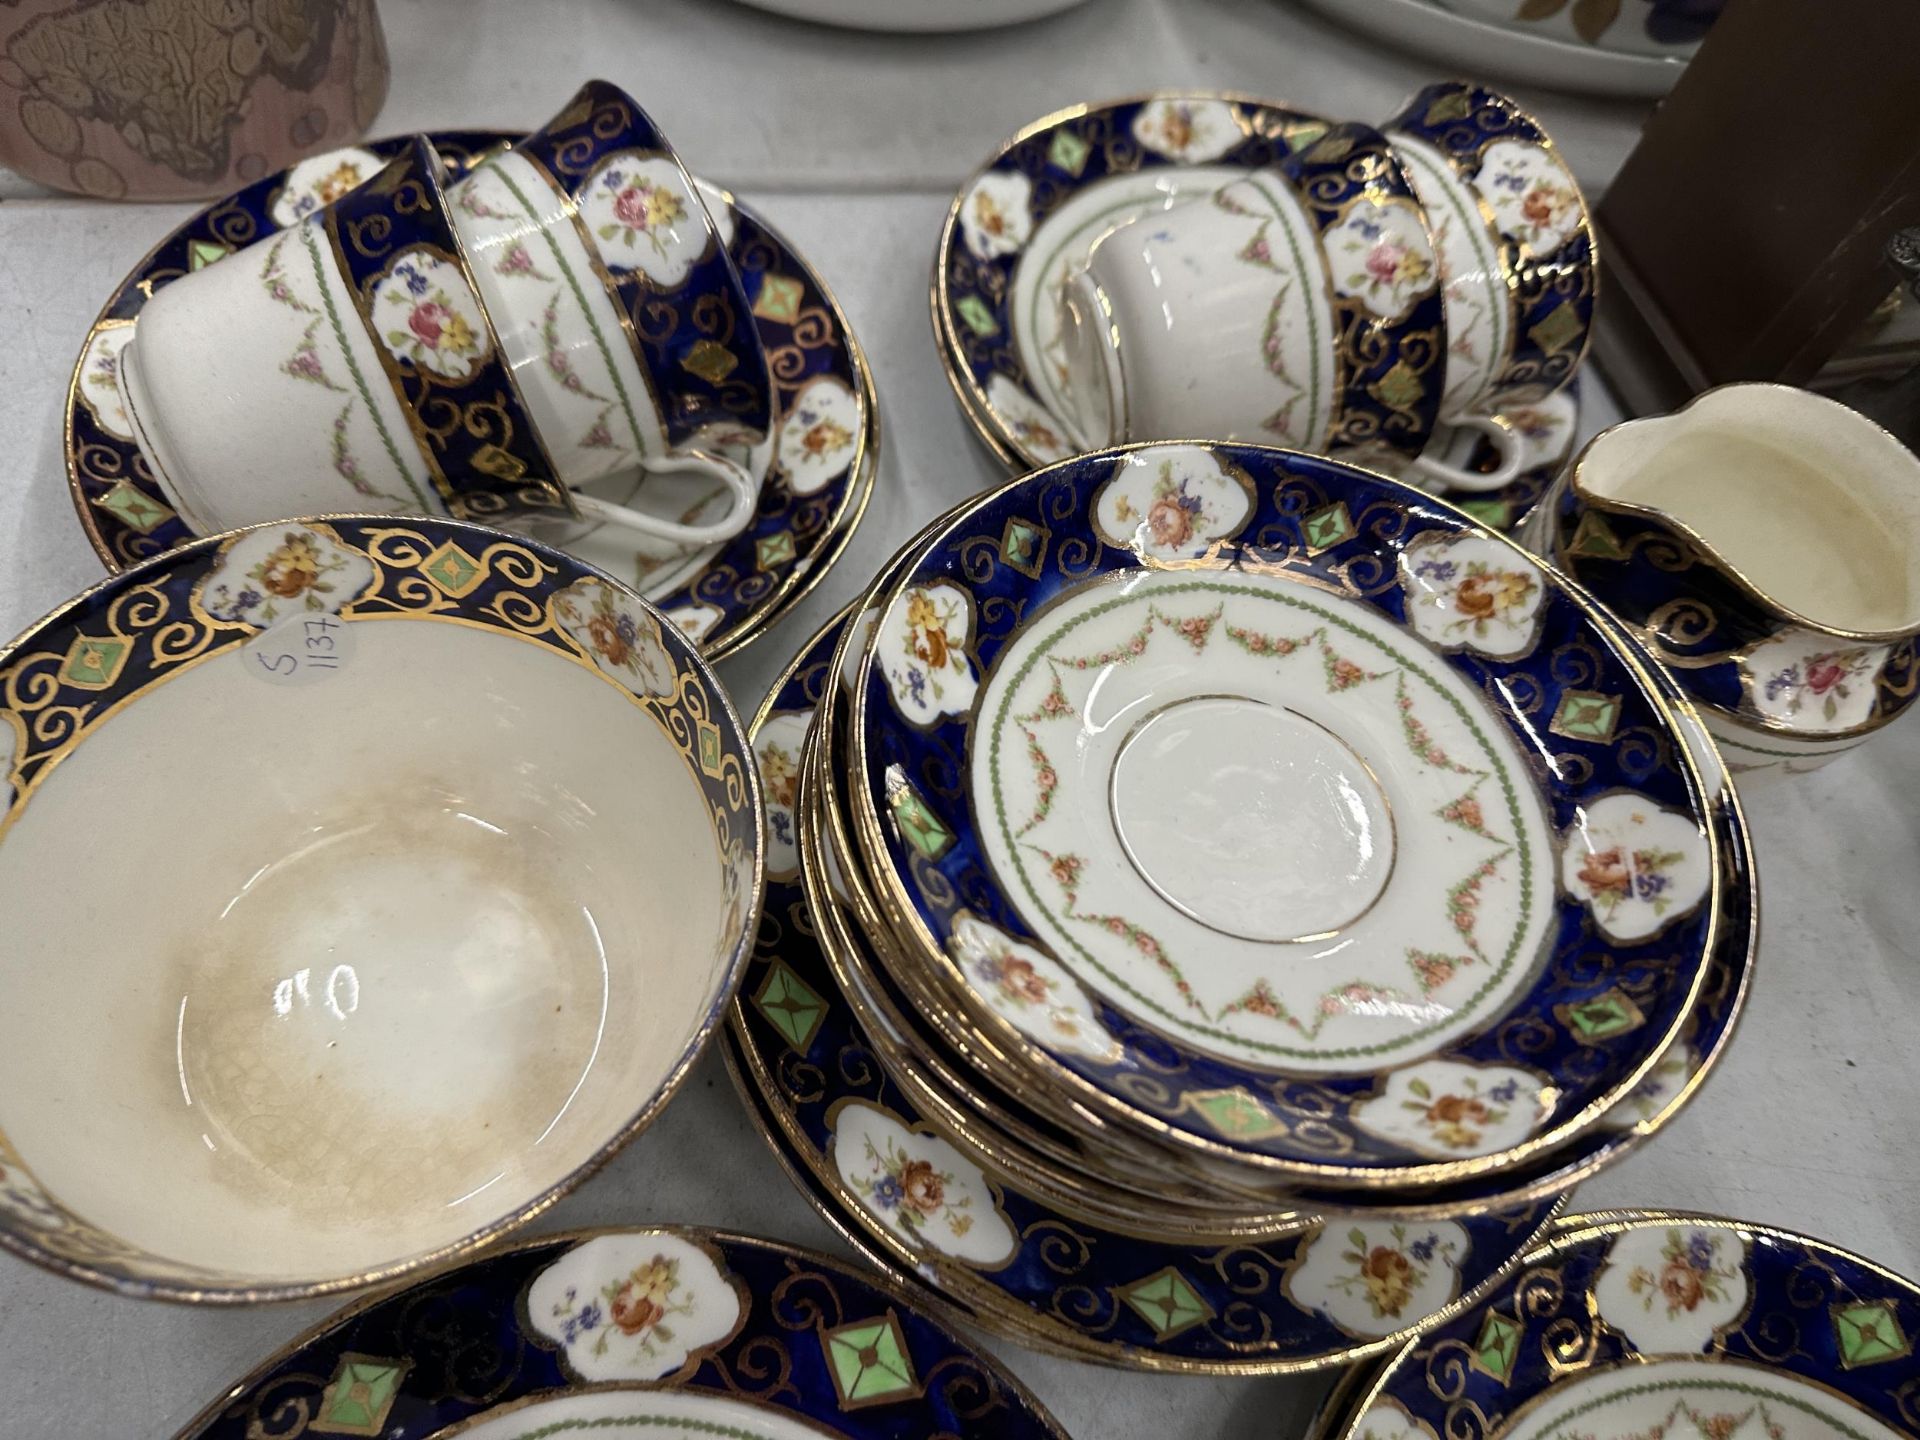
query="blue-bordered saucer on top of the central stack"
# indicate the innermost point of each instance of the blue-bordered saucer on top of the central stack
(1506, 836)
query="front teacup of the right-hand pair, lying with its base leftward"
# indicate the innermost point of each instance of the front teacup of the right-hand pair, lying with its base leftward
(1299, 306)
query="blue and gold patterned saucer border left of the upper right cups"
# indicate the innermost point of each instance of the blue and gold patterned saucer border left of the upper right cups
(1045, 166)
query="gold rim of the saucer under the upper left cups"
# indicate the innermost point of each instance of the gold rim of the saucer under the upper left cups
(759, 617)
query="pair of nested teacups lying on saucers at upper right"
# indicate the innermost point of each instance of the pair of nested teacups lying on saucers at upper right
(1358, 297)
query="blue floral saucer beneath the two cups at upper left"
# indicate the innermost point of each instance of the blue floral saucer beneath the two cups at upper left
(723, 596)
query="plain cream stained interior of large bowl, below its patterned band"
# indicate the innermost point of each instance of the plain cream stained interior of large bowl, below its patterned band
(306, 980)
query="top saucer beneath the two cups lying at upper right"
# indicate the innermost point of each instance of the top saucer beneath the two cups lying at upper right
(1036, 210)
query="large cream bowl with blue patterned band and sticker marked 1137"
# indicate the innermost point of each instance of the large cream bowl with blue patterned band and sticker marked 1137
(420, 867)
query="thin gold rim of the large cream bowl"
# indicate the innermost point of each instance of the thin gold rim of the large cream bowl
(485, 1237)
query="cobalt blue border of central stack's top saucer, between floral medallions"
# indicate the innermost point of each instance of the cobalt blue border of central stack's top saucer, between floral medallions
(1572, 654)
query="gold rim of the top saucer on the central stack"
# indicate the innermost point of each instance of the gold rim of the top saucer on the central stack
(907, 921)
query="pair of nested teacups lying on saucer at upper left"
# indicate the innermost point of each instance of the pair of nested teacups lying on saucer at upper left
(558, 339)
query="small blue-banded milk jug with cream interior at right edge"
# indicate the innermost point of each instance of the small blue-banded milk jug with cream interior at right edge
(1765, 544)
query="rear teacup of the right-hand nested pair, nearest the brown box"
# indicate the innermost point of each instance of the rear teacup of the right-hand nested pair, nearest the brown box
(1514, 239)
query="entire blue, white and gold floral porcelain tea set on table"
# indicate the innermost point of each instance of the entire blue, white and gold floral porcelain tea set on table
(1203, 909)
